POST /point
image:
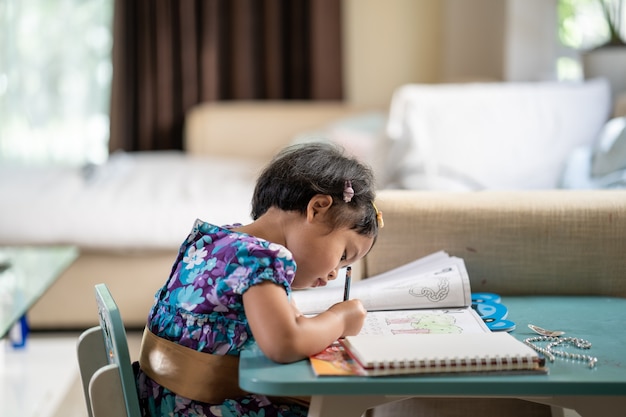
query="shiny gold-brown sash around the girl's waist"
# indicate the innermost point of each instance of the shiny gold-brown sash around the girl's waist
(191, 374)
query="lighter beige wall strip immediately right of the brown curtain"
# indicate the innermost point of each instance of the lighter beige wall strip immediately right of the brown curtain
(388, 43)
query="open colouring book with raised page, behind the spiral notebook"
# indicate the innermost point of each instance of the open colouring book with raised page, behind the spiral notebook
(429, 295)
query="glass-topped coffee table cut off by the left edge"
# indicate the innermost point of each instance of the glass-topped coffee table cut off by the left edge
(25, 275)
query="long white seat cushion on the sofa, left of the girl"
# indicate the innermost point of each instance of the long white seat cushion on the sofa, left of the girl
(144, 200)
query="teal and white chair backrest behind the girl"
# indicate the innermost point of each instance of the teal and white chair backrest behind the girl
(104, 362)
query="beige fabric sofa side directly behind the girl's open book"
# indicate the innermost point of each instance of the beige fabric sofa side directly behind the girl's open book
(515, 243)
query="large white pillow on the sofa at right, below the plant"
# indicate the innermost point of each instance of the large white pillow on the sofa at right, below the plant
(491, 135)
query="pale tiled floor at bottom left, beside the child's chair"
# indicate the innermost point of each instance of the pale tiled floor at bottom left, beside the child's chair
(42, 380)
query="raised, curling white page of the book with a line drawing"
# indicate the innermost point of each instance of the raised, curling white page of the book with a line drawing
(436, 281)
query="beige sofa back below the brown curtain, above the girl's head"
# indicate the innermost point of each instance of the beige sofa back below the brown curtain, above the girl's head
(255, 129)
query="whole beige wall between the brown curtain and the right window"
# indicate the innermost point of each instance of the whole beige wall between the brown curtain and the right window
(388, 43)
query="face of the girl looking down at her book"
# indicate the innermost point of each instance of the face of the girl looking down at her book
(320, 252)
